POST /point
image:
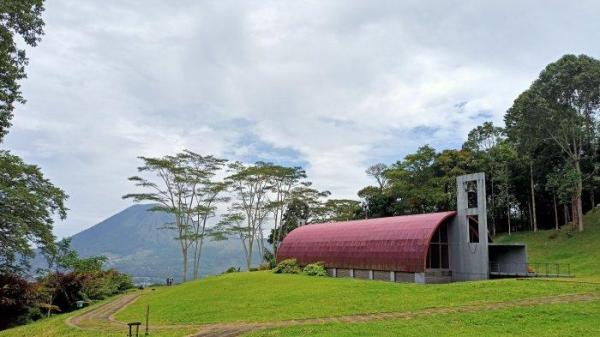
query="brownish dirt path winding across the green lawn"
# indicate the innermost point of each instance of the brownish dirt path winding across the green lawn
(101, 318)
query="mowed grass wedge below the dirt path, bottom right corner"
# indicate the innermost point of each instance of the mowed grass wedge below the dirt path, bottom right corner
(576, 319)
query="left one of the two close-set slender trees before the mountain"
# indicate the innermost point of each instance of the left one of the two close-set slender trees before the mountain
(173, 195)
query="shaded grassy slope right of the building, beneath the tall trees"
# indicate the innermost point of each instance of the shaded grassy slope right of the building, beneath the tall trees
(580, 250)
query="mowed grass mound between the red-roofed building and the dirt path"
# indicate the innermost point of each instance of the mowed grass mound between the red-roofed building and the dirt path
(264, 296)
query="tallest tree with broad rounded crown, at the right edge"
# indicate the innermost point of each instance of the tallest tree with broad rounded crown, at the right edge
(562, 106)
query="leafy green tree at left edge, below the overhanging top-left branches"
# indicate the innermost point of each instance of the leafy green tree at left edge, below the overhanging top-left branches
(28, 204)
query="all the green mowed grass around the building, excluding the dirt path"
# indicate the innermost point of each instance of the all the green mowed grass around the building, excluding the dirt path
(266, 297)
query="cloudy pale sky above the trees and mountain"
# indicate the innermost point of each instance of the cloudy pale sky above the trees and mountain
(333, 86)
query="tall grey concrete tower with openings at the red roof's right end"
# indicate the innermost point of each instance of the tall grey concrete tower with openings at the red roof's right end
(469, 261)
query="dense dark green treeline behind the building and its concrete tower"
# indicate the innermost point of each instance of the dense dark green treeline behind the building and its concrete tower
(541, 166)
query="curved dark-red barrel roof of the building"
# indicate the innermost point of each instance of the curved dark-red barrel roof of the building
(397, 243)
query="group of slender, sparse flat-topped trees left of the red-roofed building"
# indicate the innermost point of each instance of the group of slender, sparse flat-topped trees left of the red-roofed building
(255, 203)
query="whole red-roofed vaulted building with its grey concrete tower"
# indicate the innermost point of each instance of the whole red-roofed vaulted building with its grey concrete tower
(423, 248)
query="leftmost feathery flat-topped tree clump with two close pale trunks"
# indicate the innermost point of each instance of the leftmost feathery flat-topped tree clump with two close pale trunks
(187, 190)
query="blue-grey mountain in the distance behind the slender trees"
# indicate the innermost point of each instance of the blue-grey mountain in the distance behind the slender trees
(135, 244)
